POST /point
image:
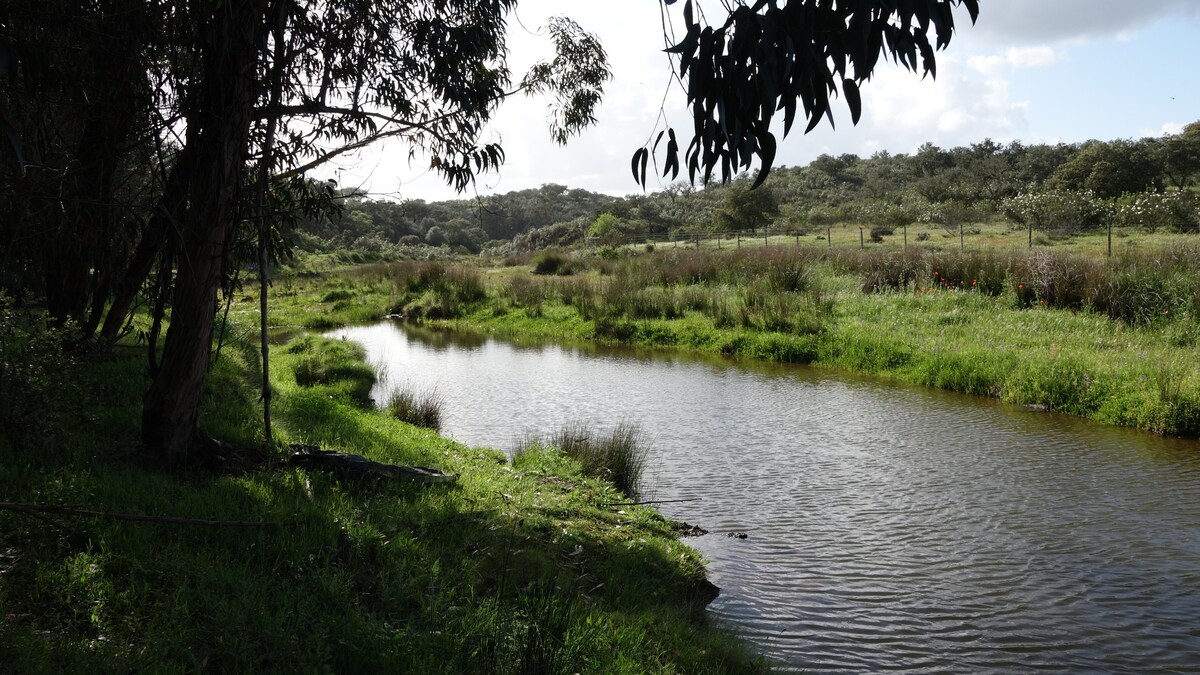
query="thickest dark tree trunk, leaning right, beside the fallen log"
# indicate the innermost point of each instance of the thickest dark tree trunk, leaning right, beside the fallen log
(218, 138)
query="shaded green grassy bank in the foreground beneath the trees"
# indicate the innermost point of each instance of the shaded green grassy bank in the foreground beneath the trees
(518, 568)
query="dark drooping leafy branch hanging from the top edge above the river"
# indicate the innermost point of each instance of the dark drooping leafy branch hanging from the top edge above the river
(790, 57)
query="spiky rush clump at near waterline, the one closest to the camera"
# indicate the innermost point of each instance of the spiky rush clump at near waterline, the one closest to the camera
(619, 457)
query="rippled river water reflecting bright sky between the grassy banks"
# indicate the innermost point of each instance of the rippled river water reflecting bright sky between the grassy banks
(889, 528)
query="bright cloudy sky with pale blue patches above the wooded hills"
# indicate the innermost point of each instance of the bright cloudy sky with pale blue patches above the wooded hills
(1037, 71)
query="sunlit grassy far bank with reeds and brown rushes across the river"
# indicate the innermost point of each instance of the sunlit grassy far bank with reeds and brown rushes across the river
(1115, 342)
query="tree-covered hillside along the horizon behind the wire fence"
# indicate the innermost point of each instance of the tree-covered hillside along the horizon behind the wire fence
(1142, 183)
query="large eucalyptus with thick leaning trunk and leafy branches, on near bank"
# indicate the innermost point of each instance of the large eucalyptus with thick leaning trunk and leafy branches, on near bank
(289, 86)
